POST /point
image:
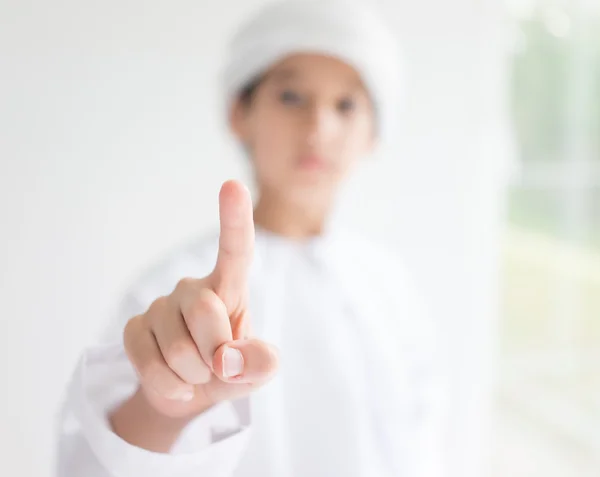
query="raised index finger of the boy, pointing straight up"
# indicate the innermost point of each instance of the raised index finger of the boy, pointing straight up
(236, 240)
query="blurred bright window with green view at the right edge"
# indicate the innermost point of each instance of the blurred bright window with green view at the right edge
(549, 413)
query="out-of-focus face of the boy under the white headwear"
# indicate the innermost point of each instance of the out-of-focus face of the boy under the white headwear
(309, 121)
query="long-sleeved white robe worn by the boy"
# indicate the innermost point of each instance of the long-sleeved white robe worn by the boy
(357, 394)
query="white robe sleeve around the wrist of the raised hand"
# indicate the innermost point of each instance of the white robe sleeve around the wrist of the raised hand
(212, 444)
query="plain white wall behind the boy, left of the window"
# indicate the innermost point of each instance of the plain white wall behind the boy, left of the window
(110, 154)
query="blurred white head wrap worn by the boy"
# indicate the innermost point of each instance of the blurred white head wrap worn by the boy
(347, 30)
